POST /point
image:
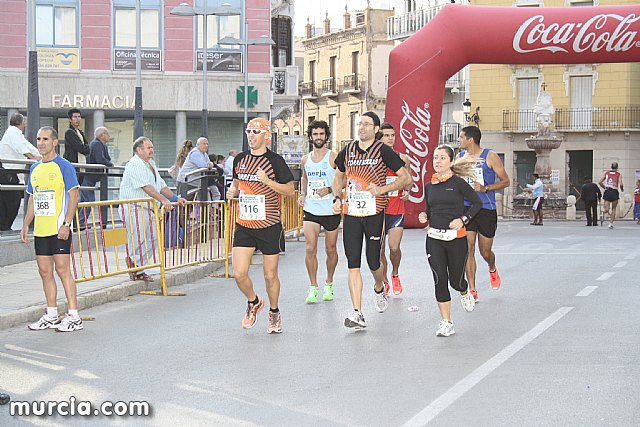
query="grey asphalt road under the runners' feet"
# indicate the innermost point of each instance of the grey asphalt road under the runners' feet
(558, 344)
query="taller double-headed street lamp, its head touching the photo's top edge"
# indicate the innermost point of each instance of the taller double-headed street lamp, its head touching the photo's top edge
(184, 9)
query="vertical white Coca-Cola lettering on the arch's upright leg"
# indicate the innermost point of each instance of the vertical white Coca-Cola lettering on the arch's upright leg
(414, 133)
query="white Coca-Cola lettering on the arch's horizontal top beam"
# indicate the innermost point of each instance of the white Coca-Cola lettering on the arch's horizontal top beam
(596, 34)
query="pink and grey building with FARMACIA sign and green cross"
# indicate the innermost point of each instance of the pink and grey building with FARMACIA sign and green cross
(86, 56)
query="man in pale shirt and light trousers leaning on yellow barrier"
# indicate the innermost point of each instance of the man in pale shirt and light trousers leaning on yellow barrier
(142, 180)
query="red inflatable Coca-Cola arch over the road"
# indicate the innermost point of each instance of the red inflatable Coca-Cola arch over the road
(459, 35)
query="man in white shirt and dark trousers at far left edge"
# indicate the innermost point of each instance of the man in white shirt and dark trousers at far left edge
(13, 146)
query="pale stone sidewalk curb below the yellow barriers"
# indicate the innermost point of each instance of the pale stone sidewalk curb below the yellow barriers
(113, 293)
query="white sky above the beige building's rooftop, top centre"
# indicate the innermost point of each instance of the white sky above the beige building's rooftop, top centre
(316, 10)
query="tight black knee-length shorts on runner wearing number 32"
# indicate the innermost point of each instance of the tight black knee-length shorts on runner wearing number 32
(354, 229)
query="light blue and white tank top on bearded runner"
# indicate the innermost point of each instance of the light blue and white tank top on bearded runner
(319, 175)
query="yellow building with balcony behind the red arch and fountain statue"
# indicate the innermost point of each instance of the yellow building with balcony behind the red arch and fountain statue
(597, 113)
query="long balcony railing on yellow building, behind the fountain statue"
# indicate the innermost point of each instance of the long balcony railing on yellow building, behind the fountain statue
(564, 119)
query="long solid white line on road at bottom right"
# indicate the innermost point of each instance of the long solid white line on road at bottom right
(471, 380)
